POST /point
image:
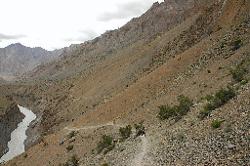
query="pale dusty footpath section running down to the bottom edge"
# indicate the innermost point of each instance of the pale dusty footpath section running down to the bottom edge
(139, 159)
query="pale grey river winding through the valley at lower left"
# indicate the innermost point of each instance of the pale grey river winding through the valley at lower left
(18, 136)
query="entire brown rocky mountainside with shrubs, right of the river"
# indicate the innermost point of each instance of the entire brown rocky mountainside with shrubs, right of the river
(180, 72)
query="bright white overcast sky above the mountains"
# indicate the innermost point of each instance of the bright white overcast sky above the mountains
(54, 24)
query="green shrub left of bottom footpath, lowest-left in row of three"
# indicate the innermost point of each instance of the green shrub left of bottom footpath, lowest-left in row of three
(106, 144)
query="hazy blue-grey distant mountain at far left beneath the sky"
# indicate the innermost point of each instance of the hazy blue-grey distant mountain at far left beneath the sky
(16, 59)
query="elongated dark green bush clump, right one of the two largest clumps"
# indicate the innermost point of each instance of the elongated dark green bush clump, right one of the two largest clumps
(220, 98)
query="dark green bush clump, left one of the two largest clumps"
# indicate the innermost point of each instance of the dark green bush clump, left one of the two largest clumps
(177, 111)
